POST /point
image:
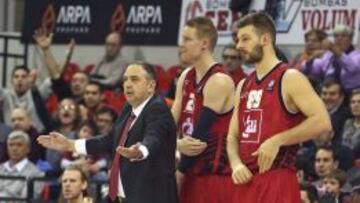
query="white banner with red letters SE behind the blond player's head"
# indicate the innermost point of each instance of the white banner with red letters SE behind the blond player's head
(217, 10)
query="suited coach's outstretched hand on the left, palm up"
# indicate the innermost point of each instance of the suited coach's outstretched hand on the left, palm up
(57, 142)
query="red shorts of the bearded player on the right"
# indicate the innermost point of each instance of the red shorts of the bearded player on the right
(276, 186)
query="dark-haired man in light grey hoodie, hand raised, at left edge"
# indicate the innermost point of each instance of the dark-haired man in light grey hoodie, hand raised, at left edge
(29, 98)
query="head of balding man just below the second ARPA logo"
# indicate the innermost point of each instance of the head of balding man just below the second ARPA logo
(112, 45)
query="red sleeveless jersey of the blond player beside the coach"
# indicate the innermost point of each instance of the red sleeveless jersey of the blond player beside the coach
(214, 159)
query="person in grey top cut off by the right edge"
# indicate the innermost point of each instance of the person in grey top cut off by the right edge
(351, 130)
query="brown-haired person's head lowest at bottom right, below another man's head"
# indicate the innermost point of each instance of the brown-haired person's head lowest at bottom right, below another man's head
(334, 181)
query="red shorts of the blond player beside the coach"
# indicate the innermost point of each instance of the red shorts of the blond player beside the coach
(207, 189)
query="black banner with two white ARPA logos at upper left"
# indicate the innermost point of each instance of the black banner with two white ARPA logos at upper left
(141, 22)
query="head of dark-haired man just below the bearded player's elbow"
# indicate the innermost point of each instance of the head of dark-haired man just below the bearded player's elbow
(326, 160)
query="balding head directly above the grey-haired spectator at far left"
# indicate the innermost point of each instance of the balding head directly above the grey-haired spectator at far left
(20, 119)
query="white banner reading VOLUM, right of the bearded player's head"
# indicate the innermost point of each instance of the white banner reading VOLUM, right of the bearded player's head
(296, 17)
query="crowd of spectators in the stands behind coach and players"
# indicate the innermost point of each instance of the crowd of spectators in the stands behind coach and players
(83, 102)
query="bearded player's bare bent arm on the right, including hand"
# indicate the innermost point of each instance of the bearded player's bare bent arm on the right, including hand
(299, 96)
